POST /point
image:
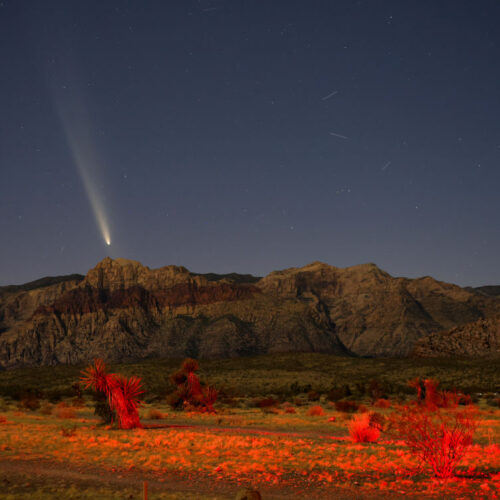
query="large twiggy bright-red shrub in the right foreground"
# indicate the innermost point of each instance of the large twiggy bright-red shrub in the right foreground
(438, 438)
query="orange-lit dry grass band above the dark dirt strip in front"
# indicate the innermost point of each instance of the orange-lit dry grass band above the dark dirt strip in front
(279, 450)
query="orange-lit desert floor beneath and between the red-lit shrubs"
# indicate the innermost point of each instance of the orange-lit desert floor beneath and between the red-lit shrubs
(284, 445)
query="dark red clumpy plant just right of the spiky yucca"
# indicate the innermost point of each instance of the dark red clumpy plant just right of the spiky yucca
(191, 393)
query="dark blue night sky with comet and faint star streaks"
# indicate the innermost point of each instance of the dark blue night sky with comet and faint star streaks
(250, 136)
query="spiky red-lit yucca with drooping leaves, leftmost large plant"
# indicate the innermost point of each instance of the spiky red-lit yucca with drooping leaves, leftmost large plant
(120, 393)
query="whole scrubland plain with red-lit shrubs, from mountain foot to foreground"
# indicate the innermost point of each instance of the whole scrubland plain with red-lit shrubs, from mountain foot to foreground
(307, 426)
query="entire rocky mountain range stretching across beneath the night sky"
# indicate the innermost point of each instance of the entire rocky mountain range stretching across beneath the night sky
(123, 311)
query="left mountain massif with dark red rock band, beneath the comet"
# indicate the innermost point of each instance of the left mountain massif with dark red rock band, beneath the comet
(124, 311)
